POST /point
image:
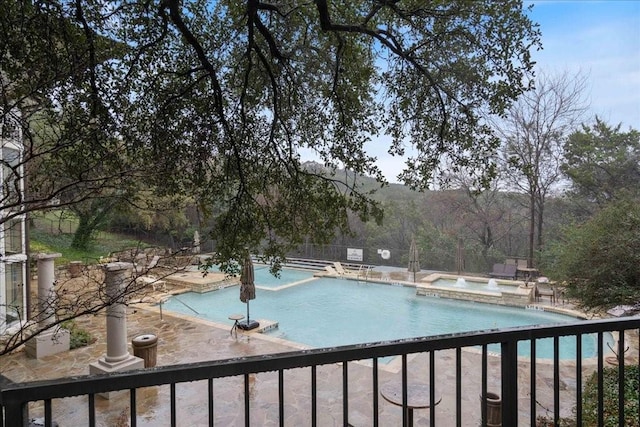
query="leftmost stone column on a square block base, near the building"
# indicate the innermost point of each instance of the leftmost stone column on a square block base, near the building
(54, 340)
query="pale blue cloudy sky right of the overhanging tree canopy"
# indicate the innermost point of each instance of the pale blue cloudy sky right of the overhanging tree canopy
(601, 39)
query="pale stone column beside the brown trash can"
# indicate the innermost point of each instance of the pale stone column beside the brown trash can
(118, 357)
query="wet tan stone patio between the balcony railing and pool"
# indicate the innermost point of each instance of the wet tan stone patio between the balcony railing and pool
(183, 339)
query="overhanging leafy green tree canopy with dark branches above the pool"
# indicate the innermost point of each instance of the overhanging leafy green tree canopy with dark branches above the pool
(223, 100)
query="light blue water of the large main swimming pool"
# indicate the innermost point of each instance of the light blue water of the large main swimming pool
(328, 312)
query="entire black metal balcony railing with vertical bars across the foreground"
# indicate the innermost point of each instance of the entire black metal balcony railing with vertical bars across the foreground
(518, 380)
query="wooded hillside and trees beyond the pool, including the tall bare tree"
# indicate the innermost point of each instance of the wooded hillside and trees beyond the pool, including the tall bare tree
(553, 182)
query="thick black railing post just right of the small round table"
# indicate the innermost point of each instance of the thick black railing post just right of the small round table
(509, 374)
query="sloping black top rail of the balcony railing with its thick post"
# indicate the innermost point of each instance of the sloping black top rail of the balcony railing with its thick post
(15, 396)
